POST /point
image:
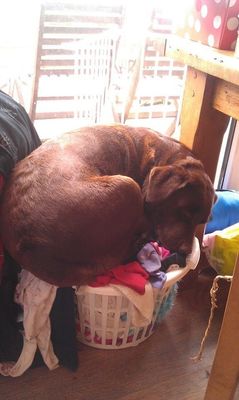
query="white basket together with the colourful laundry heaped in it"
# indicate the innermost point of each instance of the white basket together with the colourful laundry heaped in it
(137, 304)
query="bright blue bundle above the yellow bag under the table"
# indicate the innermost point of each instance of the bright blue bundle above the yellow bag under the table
(225, 211)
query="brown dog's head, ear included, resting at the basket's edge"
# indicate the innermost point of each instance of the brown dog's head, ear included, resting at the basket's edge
(178, 198)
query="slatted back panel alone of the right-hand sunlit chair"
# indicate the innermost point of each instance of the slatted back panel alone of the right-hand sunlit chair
(159, 85)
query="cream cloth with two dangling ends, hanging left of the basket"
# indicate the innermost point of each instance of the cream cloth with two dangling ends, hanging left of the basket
(36, 298)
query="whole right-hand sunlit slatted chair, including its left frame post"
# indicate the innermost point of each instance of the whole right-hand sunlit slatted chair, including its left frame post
(154, 82)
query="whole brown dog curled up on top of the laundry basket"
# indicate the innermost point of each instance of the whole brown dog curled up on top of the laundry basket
(81, 204)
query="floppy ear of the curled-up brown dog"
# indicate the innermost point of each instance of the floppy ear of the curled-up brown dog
(163, 181)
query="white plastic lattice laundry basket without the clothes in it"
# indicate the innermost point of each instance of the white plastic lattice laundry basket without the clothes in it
(105, 316)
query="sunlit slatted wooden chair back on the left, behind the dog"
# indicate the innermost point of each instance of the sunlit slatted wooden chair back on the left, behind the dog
(76, 48)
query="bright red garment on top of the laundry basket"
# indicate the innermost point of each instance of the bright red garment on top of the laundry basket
(131, 275)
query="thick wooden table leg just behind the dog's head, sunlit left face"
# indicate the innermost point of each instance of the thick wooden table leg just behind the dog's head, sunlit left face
(202, 126)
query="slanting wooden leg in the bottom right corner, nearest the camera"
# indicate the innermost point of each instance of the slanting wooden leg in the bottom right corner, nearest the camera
(225, 370)
